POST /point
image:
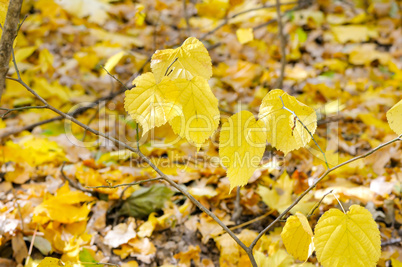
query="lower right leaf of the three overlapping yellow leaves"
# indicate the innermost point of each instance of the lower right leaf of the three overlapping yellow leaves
(199, 115)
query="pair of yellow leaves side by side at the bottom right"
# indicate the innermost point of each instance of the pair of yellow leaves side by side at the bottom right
(340, 239)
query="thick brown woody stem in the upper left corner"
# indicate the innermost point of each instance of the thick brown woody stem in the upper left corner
(7, 39)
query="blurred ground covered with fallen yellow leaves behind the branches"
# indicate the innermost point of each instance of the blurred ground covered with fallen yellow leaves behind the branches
(343, 59)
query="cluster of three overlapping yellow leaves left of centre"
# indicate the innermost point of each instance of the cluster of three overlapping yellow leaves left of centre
(177, 92)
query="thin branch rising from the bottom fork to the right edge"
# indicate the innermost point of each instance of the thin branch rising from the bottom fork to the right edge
(315, 184)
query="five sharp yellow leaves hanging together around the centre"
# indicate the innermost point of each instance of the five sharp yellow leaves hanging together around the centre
(177, 92)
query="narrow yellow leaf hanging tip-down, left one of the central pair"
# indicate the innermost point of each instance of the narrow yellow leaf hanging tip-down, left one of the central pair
(241, 147)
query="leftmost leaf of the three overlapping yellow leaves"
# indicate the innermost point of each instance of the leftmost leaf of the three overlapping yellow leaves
(146, 102)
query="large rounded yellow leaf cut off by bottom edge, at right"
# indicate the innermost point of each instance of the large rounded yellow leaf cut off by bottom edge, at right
(350, 239)
